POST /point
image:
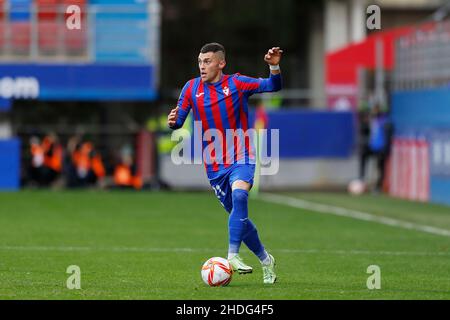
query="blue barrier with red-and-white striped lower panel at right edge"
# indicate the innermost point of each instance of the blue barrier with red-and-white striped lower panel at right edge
(421, 150)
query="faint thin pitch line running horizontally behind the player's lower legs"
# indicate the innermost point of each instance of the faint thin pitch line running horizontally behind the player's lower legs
(181, 250)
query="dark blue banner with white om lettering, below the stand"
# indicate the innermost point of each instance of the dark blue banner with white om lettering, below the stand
(77, 82)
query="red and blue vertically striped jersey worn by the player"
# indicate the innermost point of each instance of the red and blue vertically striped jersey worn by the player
(221, 106)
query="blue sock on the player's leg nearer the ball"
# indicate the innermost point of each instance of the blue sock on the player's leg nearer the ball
(238, 220)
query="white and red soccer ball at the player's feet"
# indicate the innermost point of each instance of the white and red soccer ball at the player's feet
(216, 272)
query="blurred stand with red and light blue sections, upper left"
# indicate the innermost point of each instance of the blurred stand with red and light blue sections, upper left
(37, 30)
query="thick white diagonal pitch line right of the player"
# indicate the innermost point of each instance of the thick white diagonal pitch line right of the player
(338, 211)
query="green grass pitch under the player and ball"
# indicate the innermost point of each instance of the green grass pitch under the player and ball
(142, 245)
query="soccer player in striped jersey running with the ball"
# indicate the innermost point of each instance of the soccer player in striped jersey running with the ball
(220, 103)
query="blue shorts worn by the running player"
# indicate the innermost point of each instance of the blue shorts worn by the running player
(221, 181)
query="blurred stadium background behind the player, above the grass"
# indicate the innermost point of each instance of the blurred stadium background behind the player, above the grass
(87, 108)
